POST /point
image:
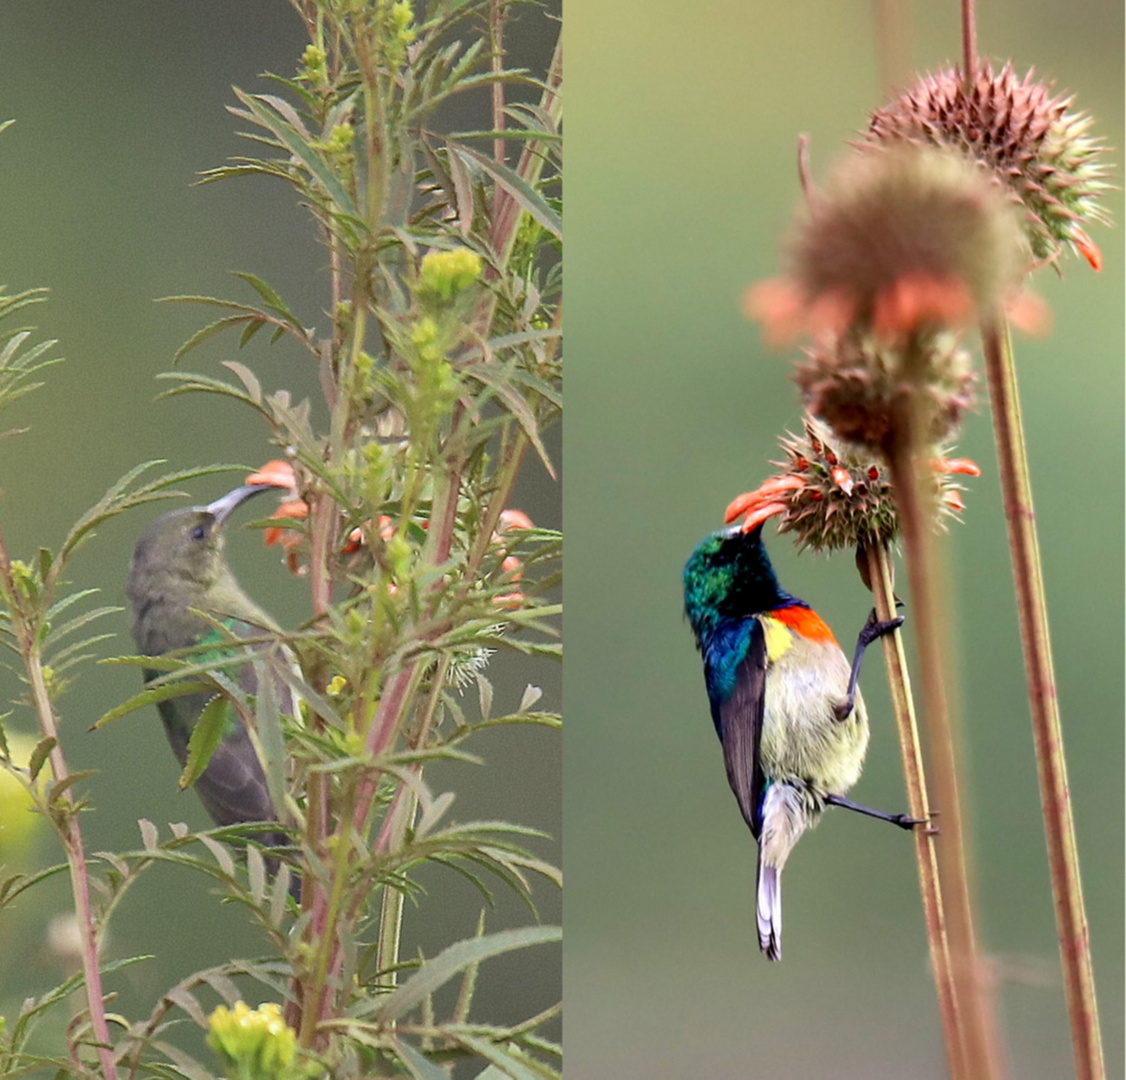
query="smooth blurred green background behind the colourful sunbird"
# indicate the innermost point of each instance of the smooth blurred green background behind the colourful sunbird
(684, 120)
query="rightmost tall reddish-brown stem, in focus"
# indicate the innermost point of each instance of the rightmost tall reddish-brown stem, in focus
(1048, 733)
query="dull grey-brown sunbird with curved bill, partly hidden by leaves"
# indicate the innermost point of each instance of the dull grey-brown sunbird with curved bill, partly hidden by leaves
(178, 569)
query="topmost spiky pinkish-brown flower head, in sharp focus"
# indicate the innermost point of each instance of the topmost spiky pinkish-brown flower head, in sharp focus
(1022, 136)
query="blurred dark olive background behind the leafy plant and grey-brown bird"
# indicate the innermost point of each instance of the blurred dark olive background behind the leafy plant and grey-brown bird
(119, 106)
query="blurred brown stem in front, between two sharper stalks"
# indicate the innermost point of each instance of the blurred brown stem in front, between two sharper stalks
(975, 1004)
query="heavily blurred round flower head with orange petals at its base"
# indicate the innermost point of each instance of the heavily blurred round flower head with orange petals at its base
(904, 239)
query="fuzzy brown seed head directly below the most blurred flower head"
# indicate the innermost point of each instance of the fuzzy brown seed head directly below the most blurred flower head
(863, 388)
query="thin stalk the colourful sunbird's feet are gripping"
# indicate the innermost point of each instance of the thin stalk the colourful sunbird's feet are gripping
(880, 574)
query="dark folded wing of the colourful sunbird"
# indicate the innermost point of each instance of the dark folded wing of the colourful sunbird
(741, 730)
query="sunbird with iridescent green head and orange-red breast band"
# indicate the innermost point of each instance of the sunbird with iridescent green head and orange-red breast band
(784, 701)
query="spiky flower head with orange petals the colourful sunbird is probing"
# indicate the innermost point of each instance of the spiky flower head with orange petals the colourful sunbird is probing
(835, 495)
